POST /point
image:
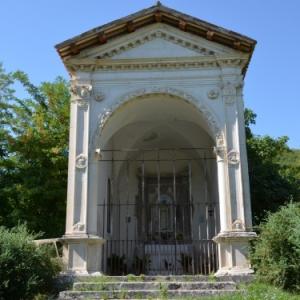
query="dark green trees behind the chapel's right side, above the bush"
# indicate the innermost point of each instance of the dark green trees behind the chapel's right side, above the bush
(273, 180)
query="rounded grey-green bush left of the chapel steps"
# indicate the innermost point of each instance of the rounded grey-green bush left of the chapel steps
(25, 269)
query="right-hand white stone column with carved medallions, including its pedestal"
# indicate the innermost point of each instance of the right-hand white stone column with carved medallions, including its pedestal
(235, 231)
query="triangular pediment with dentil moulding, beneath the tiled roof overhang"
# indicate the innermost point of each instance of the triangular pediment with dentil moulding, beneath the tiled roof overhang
(158, 40)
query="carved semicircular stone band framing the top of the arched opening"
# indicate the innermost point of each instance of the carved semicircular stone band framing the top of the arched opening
(209, 117)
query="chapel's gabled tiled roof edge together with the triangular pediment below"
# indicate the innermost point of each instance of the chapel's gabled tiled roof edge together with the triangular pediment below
(117, 38)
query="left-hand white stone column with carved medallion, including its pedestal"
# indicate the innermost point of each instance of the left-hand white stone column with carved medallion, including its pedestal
(82, 250)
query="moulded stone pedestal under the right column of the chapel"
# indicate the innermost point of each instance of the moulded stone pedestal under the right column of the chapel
(233, 253)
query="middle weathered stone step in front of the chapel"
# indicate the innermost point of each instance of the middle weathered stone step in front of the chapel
(175, 285)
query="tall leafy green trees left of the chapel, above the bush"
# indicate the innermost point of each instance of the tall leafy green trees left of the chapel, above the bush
(34, 150)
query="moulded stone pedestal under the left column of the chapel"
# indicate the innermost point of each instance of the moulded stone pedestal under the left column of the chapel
(82, 254)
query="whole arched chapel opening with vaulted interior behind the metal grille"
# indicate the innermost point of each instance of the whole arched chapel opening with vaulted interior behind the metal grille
(158, 189)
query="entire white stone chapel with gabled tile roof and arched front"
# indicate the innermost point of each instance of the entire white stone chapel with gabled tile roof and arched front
(158, 178)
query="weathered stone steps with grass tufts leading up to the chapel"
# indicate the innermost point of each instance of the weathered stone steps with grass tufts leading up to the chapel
(147, 287)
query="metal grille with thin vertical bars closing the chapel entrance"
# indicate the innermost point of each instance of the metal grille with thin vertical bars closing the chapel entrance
(153, 217)
